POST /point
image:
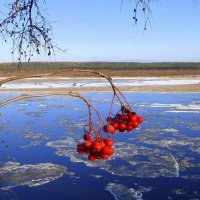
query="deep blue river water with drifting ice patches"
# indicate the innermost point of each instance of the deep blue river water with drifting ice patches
(160, 160)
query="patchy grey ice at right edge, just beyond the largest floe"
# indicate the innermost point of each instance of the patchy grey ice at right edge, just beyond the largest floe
(181, 145)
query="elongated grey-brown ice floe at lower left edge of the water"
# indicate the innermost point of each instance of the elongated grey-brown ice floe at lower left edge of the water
(12, 174)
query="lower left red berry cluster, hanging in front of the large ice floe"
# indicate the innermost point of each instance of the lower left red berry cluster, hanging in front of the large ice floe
(97, 149)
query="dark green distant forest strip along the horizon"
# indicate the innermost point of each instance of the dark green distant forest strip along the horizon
(101, 66)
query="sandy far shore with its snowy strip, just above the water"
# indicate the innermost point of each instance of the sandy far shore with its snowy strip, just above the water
(171, 84)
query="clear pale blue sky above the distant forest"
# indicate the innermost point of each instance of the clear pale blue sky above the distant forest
(103, 30)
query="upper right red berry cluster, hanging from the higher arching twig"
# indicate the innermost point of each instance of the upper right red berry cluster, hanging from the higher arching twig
(122, 122)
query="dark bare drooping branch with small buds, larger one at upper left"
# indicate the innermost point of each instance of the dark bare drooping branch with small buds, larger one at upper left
(28, 29)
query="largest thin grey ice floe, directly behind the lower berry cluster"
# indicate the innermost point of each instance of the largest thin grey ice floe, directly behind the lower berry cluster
(128, 160)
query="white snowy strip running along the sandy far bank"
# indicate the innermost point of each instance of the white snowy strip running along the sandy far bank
(53, 83)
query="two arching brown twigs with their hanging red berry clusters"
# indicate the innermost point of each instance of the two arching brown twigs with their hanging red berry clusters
(95, 144)
